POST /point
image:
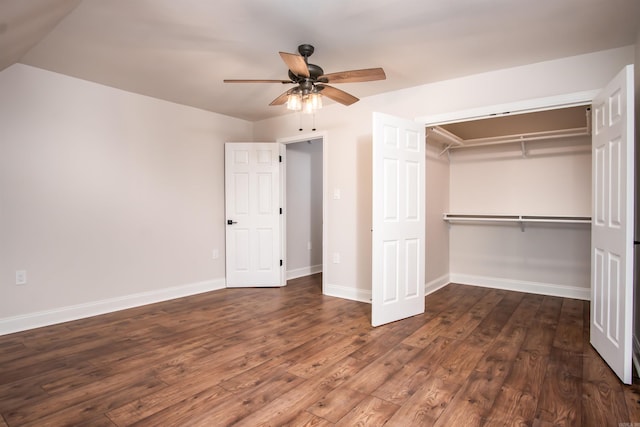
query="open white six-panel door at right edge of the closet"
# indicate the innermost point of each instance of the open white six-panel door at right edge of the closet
(612, 224)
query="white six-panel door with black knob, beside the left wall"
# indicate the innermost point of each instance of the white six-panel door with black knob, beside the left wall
(252, 206)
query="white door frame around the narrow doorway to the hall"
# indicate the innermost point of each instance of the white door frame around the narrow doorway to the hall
(324, 137)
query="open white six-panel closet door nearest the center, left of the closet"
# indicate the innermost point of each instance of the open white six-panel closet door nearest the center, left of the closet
(398, 219)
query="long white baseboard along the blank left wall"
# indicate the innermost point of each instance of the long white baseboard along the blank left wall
(39, 319)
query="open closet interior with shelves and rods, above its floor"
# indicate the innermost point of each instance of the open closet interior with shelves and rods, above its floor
(517, 212)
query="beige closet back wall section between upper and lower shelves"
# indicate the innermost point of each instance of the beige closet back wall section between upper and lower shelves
(554, 178)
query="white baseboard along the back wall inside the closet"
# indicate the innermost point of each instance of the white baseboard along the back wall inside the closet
(551, 289)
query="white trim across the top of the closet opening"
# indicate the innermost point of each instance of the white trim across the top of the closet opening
(518, 107)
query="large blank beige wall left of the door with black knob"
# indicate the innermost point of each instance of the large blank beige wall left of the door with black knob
(107, 198)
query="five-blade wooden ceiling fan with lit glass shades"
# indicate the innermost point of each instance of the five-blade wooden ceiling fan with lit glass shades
(311, 82)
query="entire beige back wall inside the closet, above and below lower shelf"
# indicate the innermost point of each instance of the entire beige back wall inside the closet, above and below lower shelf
(551, 178)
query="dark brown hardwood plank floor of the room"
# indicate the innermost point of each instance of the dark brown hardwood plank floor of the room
(292, 356)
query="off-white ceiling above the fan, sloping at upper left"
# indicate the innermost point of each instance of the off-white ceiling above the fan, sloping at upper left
(182, 50)
